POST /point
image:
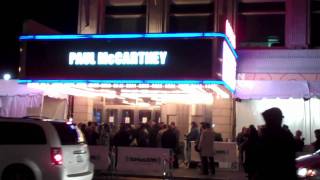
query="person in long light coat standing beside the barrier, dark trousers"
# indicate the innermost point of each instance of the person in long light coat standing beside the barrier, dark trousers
(206, 149)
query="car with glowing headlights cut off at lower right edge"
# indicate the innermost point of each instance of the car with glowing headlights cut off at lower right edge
(309, 166)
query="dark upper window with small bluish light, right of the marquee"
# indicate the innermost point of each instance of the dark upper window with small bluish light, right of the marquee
(261, 24)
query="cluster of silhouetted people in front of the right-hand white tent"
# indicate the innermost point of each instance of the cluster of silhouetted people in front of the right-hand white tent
(270, 150)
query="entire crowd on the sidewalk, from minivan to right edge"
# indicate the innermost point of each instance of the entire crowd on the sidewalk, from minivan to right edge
(265, 151)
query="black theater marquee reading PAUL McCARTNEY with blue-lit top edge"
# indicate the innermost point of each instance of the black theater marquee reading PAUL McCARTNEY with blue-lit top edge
(165, 56)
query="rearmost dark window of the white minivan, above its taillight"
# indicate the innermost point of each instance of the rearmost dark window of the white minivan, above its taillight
(68, 133)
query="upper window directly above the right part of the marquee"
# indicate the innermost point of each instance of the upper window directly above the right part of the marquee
(191, 16)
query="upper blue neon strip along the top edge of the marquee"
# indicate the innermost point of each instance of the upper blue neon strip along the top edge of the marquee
(131, 36)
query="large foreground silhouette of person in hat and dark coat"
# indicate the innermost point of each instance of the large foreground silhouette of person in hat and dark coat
(277, 149)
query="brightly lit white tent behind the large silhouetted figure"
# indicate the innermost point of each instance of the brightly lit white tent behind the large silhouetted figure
(299, 114)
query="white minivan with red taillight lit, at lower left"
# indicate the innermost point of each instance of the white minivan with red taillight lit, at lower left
(35, 149)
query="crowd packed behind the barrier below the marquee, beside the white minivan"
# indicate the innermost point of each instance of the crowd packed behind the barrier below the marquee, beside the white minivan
(150, 134)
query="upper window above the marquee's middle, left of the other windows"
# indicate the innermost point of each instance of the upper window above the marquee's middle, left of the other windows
(122, 17)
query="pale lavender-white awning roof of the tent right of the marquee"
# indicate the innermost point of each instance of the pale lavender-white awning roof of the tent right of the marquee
(255, 89)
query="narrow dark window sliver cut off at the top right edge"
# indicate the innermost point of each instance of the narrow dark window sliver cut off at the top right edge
(315, 19)
